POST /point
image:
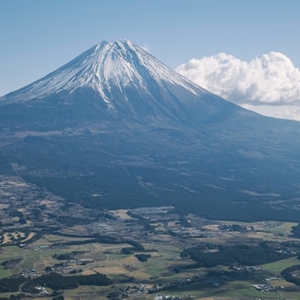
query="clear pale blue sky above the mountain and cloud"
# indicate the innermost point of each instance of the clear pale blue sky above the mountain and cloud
(38, 36)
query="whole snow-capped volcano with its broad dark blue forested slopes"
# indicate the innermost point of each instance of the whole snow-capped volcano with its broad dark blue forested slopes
(116, 128)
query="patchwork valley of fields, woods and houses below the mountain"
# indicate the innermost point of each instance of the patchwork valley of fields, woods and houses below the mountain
(141, 252)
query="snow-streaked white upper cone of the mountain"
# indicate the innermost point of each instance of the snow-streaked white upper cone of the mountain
(105, 66)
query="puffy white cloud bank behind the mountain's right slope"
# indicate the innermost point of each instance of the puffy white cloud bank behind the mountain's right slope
(269, 85)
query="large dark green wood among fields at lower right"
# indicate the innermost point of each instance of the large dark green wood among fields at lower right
(229, 255)
